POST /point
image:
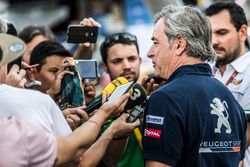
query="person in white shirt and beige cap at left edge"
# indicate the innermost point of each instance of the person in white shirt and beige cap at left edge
(28, 105)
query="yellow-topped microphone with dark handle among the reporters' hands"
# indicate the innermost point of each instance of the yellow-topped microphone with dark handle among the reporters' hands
(97, 102)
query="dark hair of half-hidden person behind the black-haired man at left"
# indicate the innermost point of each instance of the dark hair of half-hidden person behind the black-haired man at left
(29, 32)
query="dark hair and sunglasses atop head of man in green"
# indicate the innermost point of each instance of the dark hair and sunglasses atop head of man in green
(123, 38)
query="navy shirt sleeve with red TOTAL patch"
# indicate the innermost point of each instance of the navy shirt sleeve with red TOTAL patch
(163, 129)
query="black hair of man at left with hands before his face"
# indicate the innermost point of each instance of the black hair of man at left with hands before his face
(46, 49)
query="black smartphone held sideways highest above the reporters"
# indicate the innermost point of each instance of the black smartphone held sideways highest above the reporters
(81, 34)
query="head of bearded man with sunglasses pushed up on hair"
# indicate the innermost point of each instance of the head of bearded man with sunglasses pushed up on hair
(120, 56)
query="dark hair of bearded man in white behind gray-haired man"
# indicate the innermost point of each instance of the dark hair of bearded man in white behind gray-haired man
(237, 14)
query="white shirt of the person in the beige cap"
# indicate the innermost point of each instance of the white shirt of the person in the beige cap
(33, 107)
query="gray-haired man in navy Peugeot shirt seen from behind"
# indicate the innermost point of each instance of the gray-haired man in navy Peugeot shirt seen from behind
(193, 119)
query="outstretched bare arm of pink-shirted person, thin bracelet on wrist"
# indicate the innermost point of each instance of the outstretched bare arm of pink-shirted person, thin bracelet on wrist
(86, 134)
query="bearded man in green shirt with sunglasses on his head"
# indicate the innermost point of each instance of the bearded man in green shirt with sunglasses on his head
(120, 56)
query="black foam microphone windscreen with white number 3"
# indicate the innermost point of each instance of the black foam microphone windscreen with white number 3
(138, 96)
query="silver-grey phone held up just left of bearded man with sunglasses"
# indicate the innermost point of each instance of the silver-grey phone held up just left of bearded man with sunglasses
(87, 68)
